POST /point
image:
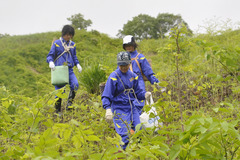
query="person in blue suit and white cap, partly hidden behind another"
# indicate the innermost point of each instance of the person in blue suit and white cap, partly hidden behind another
(140, 66)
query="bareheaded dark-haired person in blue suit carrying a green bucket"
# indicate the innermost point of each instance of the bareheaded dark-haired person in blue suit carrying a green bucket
(63, 50)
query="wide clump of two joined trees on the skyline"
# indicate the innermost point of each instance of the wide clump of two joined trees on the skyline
(144, 26)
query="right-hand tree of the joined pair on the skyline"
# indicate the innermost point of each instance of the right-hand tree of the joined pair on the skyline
(166, 21)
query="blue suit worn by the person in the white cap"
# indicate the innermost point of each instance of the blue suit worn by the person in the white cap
(147, 71)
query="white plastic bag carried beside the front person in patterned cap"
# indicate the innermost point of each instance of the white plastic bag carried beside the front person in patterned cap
(150, 122)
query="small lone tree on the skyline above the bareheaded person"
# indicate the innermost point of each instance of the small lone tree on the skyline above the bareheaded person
(78, 22)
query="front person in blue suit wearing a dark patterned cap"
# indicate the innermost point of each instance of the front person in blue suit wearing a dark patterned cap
(121, 90)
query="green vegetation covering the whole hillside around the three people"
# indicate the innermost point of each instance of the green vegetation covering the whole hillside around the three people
(199, 110)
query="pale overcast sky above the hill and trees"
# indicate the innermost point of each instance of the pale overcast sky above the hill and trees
(20, 17)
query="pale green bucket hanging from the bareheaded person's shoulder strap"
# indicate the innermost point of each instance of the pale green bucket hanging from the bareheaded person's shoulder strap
(60, 76)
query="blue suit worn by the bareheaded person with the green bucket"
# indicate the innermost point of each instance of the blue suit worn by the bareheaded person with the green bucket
(71, 58)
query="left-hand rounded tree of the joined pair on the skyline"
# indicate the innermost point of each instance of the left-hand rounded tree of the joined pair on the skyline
(141, 27)
